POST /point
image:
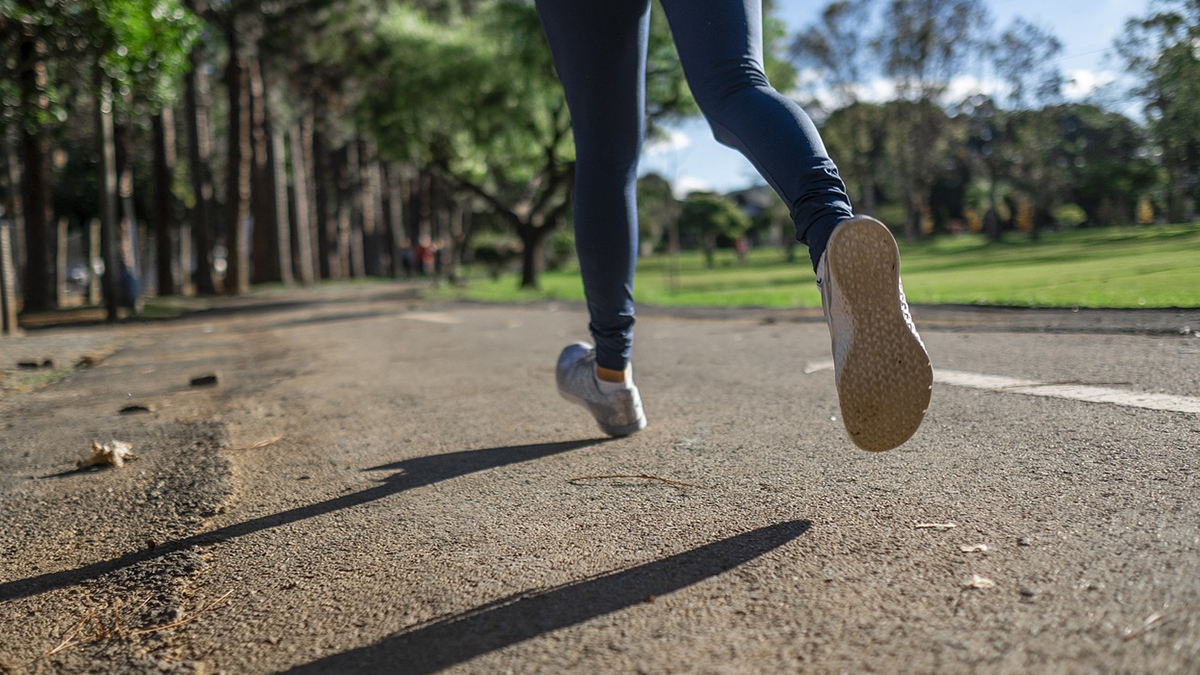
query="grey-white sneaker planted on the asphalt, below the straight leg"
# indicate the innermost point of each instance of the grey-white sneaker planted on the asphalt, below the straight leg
(617, 407)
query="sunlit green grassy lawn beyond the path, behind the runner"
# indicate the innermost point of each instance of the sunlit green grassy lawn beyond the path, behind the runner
(1127, 267)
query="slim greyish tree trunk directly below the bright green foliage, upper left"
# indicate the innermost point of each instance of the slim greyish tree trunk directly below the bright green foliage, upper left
(109, 193)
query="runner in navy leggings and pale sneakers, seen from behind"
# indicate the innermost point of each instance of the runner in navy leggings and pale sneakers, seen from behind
(881, 368)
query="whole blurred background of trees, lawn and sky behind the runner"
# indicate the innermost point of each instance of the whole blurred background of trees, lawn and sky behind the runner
(1024, 156)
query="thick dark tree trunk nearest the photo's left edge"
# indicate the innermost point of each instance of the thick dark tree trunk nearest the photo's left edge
(39, 286)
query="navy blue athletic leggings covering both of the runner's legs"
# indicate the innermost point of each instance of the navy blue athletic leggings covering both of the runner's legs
(599, 49)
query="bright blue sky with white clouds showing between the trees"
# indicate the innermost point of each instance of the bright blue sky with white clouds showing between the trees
(693, 160)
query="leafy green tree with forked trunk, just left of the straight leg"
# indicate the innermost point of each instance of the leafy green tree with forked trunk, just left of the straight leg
(478, 103)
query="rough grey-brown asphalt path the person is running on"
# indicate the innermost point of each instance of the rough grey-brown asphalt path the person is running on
(383, 485)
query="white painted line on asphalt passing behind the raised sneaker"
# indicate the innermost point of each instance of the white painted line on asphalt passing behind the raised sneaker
(1073, 392)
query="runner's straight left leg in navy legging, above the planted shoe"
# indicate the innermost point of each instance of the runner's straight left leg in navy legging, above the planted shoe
(599, 51)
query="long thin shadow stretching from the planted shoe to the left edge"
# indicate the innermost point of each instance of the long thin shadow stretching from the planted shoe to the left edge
(412, 474)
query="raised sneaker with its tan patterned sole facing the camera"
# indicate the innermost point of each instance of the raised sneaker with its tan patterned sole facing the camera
(883, 371)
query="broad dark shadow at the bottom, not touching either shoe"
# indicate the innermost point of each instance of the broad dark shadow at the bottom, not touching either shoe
(443, 643)
